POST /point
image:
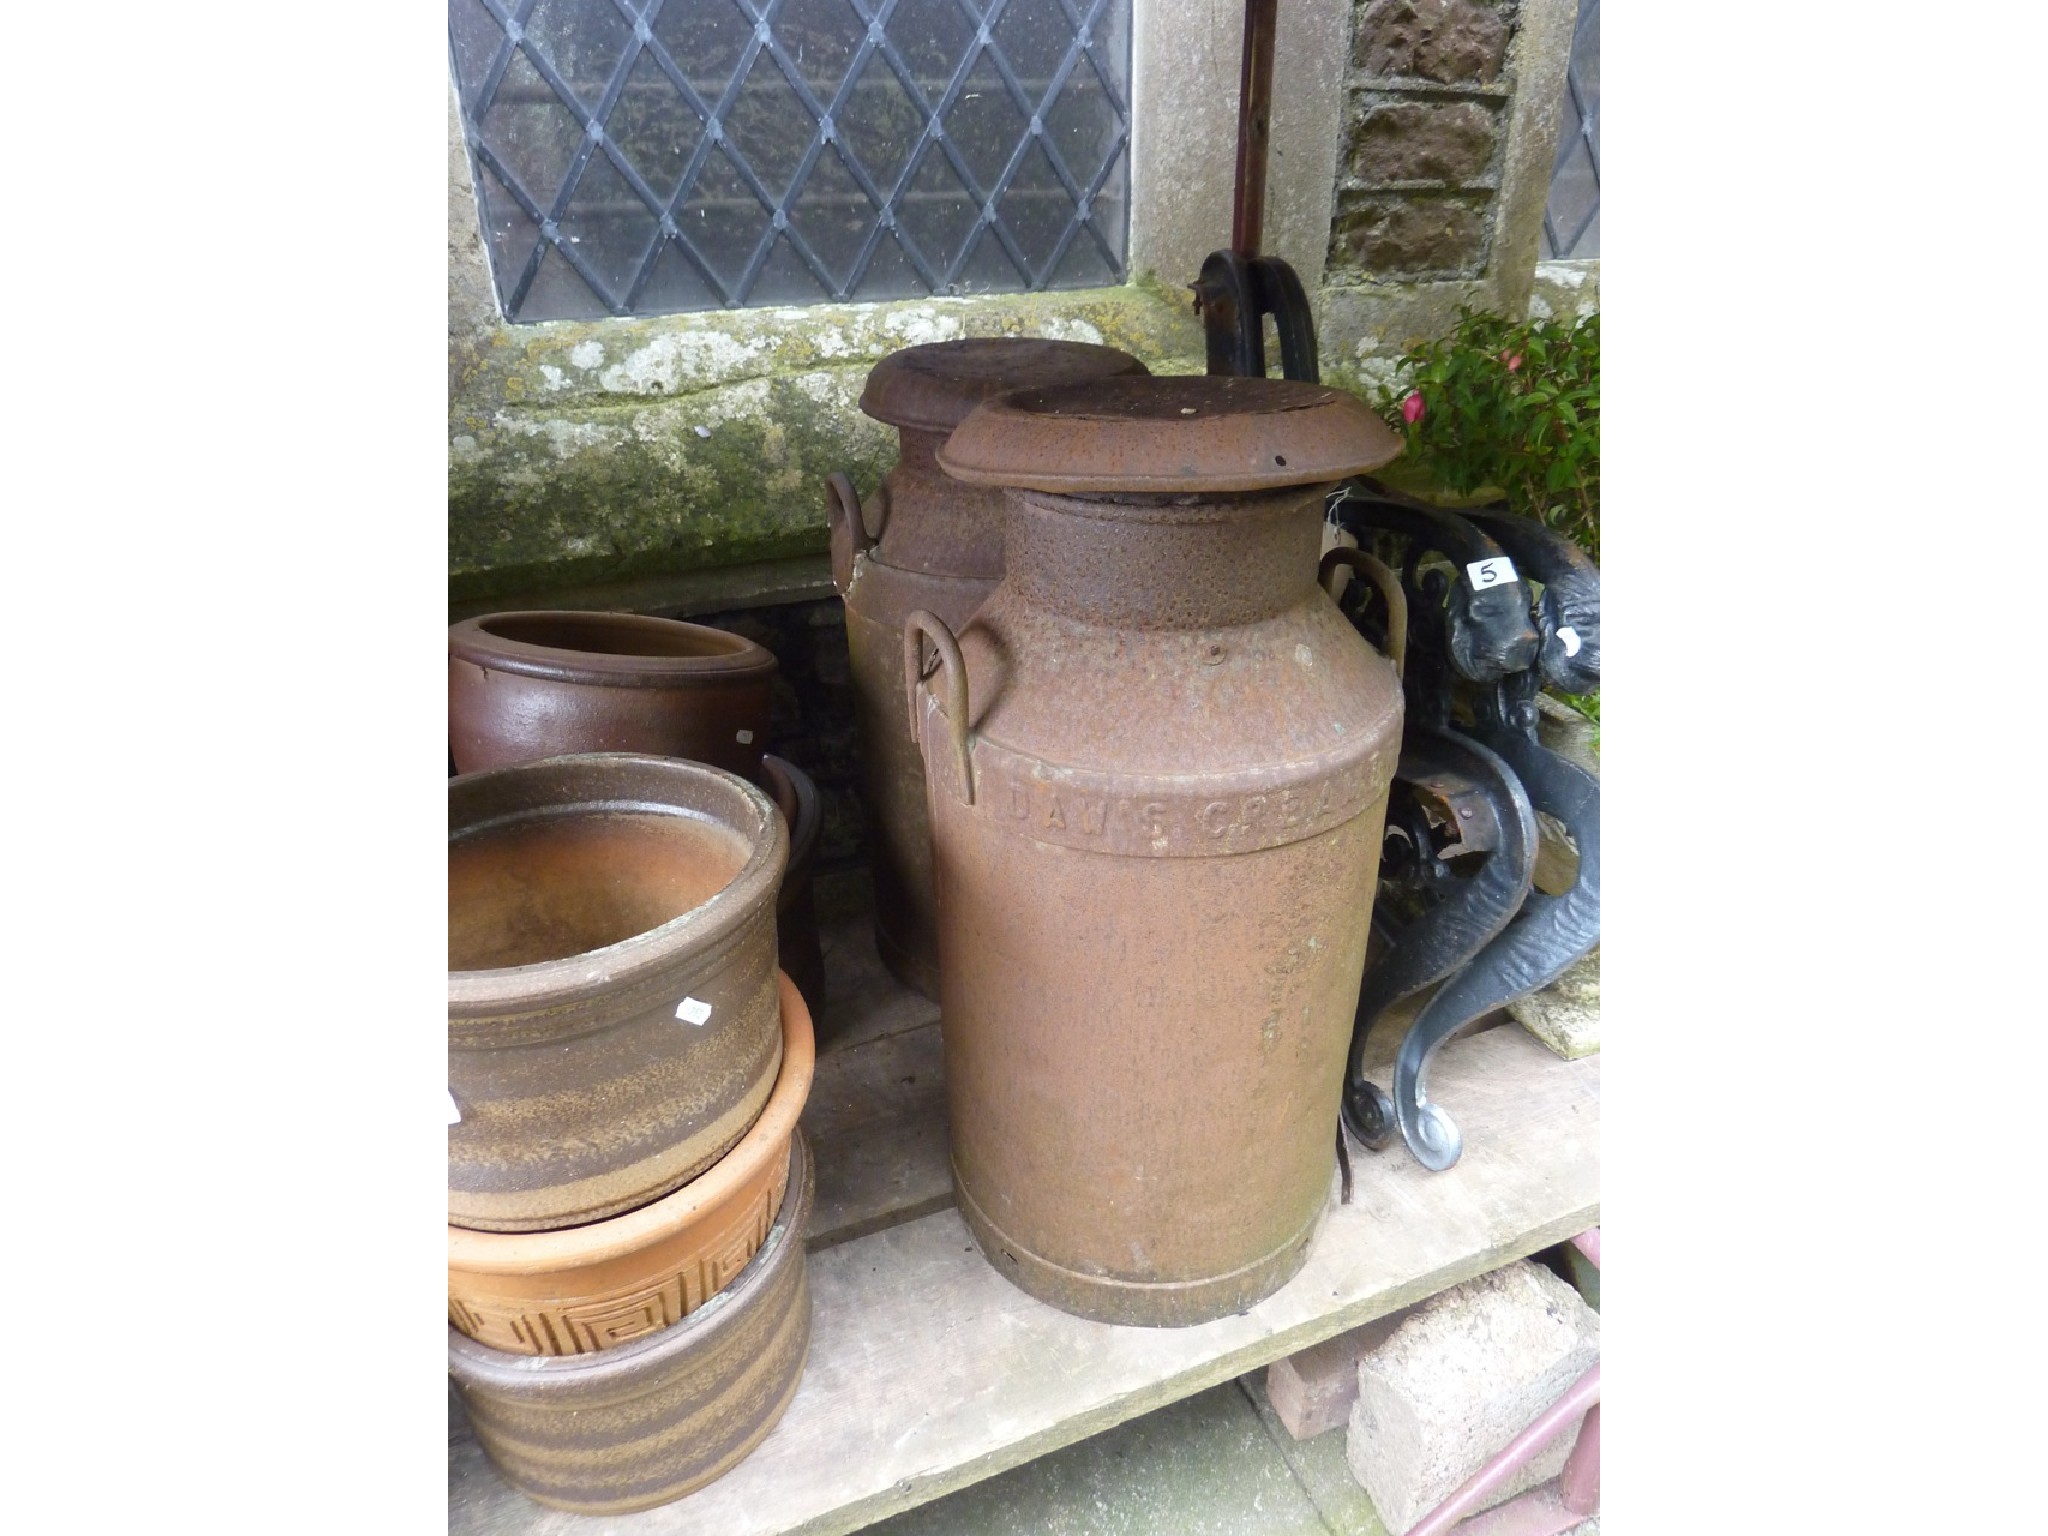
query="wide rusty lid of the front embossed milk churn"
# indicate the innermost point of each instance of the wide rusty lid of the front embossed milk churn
(1168, 435)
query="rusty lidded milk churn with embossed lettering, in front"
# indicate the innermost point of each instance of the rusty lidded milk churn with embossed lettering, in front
(1158, 767)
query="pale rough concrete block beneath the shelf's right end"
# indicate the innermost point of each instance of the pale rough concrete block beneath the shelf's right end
(1459, 1379)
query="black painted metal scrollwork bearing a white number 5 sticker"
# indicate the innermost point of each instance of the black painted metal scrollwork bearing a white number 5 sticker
(1463, 814)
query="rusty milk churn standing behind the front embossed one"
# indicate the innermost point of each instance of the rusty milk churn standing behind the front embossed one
(925, 542)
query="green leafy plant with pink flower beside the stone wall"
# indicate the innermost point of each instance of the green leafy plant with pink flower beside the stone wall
(1514, 409)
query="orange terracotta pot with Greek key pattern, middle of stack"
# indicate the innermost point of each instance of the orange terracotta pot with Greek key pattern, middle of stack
(599, 1287)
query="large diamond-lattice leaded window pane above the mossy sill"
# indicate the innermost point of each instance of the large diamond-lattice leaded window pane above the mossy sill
(652, 157)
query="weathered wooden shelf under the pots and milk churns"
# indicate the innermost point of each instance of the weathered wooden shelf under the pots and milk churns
(929, 1371)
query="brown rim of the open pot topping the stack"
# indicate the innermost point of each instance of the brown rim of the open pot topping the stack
(552, 984)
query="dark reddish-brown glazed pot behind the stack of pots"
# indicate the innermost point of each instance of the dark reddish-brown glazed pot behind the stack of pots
(540, 685)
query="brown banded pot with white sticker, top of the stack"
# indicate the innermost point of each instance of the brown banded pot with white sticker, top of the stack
(613, 1017)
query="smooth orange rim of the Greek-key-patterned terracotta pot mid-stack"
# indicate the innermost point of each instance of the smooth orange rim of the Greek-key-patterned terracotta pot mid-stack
(574, 1248)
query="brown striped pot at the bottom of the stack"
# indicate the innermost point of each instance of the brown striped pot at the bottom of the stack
(667, 1414)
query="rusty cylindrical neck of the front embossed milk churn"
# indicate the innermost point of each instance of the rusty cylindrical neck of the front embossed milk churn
(1164, 562)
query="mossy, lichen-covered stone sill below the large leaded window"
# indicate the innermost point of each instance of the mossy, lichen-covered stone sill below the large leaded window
(640, 447)
